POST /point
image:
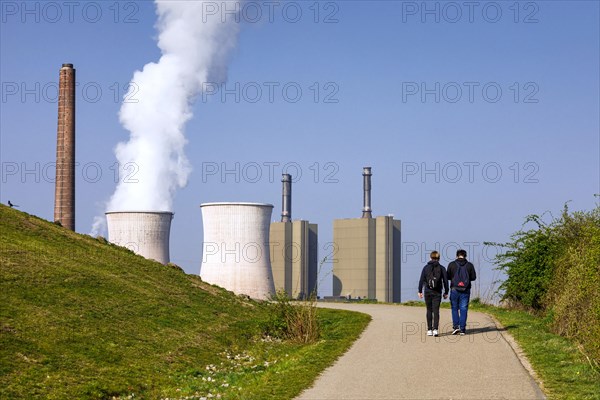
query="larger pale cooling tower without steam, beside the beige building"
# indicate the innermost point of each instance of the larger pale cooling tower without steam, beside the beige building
(235, 252)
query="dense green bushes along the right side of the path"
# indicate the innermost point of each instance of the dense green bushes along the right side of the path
(553, 269)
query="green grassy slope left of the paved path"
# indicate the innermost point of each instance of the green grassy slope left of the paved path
(81, 318)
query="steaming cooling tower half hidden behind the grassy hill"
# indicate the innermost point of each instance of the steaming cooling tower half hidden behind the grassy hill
(144, 232)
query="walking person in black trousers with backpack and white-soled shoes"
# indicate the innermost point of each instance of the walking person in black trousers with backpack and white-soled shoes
(433, 278)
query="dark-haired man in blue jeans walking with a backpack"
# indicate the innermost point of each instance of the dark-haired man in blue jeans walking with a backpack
(460, 274)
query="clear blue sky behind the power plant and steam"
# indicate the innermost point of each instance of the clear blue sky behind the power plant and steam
(508, 125)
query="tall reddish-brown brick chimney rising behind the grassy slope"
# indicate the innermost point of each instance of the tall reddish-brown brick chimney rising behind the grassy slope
(64, 195)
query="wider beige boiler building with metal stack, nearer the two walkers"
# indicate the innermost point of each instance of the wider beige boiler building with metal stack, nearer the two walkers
(367, 258)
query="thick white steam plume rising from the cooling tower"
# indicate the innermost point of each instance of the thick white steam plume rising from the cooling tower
(195, 47)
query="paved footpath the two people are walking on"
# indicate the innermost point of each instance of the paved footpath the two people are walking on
(394, 359)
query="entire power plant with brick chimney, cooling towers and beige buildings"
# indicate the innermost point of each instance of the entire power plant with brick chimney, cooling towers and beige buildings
(243, 251)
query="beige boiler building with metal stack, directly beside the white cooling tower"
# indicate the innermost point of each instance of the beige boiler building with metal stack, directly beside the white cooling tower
(294, 250)
